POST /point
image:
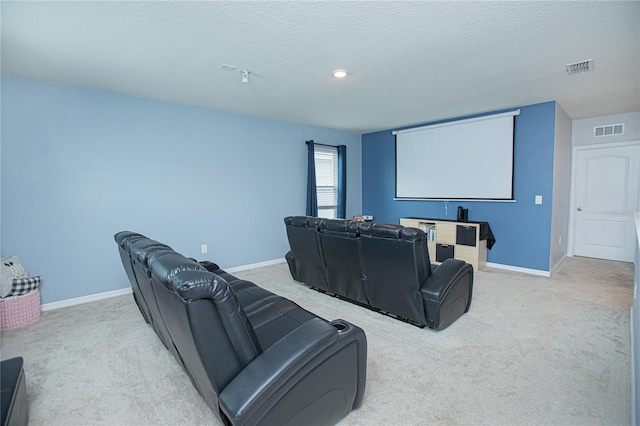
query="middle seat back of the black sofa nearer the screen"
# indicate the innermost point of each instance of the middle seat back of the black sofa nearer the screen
(339, 248)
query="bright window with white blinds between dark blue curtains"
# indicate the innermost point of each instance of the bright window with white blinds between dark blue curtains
(326, 159)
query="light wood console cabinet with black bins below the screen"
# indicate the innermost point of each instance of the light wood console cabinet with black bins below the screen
(445, 239)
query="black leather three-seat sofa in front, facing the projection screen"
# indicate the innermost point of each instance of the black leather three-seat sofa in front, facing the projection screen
(384, 267)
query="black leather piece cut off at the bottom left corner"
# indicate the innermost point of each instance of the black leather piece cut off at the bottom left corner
(14, 403)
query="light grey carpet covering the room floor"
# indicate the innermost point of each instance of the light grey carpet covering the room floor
(531, 351)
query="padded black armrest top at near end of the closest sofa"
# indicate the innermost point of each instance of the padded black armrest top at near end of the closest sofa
(250, 389)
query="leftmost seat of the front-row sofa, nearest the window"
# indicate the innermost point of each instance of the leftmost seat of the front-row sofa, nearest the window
(307, 265)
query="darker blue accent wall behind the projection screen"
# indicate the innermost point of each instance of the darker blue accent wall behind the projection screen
(522, 229)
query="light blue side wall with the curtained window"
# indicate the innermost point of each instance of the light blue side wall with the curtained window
(79, 165)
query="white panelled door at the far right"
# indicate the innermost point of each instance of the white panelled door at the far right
(606, 191)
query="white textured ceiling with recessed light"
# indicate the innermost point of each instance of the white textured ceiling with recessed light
(409, 62)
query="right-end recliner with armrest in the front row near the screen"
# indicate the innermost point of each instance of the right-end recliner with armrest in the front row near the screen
(401, 279)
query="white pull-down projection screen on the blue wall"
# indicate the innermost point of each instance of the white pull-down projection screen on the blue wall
(458, 160)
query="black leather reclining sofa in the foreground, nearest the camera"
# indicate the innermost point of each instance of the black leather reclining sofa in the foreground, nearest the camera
(254, 357)
